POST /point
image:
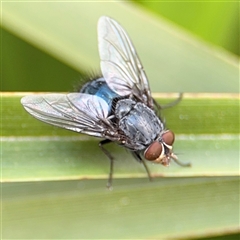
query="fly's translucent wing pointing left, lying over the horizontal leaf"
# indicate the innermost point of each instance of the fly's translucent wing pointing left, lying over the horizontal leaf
(78, 112)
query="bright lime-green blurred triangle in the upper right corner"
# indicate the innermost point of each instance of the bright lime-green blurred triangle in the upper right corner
(216, 22)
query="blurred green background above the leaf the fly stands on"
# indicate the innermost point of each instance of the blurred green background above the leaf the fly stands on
(48, 46)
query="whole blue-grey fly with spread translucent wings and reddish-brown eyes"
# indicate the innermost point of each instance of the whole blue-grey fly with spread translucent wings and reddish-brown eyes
(117, 106)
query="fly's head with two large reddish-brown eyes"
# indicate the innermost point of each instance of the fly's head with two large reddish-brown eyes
(160, 151)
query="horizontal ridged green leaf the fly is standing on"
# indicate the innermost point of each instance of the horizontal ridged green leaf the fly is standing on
(206, 131)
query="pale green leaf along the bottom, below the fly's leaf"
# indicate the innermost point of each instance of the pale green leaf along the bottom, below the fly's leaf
(136, 209)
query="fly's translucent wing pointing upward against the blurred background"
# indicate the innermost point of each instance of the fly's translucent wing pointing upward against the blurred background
(120, 64)
